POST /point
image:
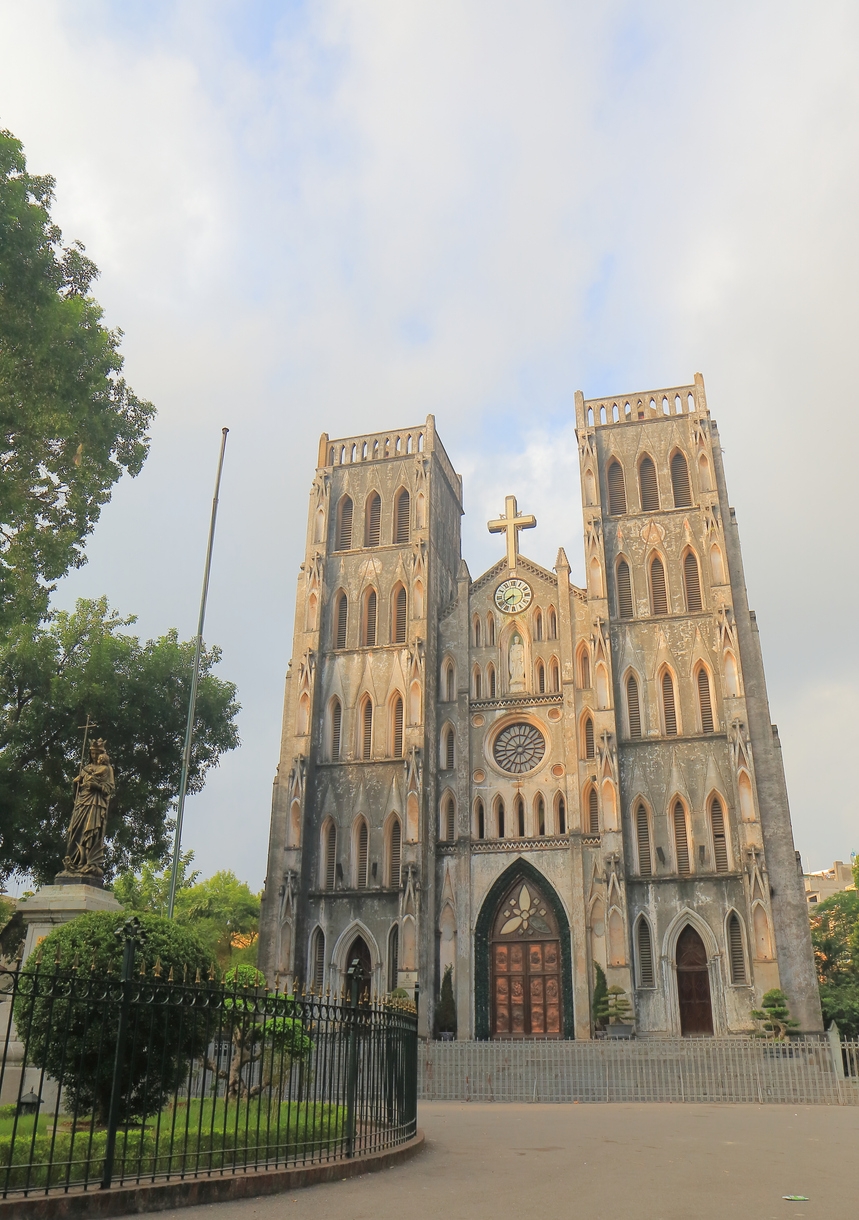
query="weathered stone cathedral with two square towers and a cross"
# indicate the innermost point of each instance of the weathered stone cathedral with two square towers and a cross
(523, 781)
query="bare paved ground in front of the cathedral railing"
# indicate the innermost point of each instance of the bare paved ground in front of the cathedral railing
(649, 1162)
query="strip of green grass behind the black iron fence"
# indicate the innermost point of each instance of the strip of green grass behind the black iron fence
(195, 1138)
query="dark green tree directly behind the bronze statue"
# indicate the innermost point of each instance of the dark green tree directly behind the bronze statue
(51, 678)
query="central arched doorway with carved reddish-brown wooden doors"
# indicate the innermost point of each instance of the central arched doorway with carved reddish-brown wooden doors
(527, 967)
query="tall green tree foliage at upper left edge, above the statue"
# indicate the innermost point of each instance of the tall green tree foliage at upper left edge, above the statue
(69, 424)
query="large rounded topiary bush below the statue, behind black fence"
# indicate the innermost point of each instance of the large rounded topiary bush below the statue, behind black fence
(69, 1012)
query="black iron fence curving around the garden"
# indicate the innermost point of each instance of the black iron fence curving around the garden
(123, 1080)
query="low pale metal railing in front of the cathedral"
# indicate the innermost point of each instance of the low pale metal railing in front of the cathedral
(642, 1071)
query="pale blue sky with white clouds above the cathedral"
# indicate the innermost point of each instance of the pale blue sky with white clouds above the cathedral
(342, 217)
